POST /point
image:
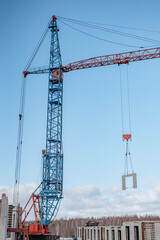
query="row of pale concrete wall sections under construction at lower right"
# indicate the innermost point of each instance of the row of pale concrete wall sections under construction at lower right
(145, 230)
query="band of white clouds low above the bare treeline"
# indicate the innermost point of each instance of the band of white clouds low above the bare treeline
(89, 200)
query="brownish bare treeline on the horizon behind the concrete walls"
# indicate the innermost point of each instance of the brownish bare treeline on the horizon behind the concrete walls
(68, 228)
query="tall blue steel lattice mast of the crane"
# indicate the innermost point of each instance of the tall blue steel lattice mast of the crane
(52, 182)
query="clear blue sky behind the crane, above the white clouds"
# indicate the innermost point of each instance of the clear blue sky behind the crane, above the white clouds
(92, 133)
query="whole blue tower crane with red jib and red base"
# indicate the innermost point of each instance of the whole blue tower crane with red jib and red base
(47, 196)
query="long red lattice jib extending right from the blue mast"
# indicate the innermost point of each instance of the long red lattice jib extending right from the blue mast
(118, 58)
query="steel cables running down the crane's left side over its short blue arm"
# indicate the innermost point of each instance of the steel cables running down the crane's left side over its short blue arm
(21, 121)
